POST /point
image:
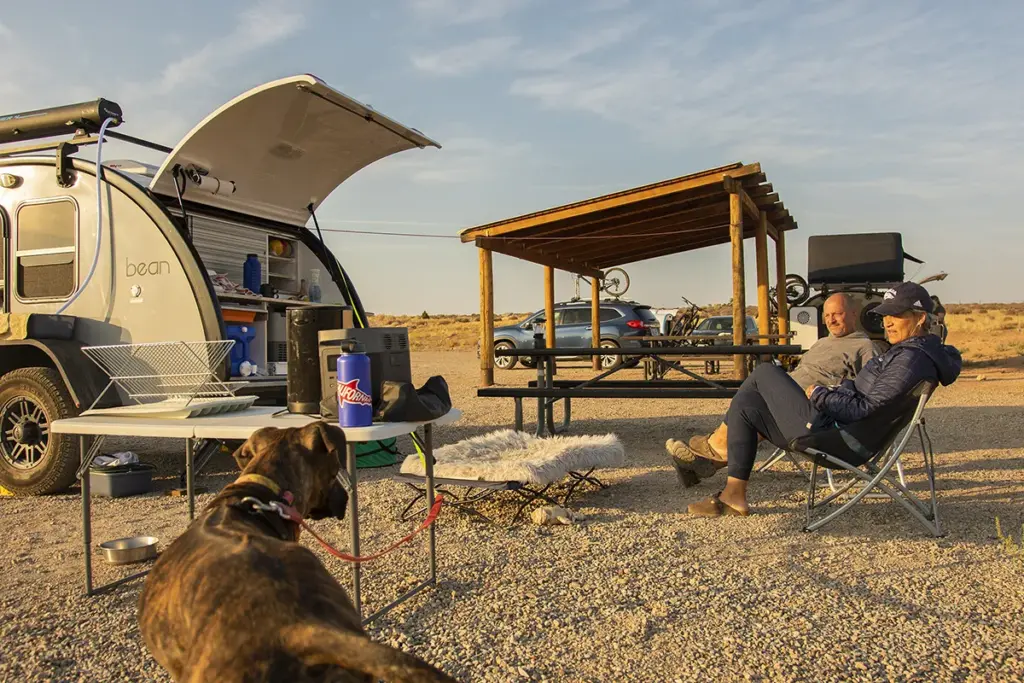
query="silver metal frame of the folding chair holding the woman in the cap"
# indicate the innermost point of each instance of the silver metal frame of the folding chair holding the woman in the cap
(877, 475)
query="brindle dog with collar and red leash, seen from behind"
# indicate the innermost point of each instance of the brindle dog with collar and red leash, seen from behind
(237, 599)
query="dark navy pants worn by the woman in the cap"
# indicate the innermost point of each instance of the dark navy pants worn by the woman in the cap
(770, 403)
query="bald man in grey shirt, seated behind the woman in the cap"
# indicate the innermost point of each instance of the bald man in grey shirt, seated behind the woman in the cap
(829, 362)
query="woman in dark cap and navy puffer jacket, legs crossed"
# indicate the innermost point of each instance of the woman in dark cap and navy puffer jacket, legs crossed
(771, 405)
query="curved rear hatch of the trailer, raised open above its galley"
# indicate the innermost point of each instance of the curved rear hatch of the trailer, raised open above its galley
(276, 149)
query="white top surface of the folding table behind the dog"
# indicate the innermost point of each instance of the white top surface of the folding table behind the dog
(239, 425)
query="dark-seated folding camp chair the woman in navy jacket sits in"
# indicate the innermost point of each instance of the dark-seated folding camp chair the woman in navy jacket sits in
(889, 432)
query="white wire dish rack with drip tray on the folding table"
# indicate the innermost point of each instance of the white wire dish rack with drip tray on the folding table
(178, 378)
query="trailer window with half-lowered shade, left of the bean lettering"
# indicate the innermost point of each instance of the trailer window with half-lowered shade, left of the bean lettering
(46, 250)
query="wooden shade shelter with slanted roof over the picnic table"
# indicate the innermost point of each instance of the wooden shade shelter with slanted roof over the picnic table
(718, 206)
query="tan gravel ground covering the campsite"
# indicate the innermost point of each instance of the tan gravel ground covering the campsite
(637, 591)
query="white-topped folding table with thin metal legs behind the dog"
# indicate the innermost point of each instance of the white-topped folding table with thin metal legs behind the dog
(241, 426)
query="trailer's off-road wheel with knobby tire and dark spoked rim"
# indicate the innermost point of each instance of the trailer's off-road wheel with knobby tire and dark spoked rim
(34, 462)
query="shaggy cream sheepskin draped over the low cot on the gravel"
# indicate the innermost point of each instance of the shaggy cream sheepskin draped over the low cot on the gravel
(513, 456)
